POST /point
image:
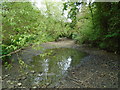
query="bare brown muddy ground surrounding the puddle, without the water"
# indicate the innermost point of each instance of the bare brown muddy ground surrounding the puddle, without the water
(99, 69)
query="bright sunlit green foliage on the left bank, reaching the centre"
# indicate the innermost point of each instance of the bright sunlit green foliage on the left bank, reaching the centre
(23, 25)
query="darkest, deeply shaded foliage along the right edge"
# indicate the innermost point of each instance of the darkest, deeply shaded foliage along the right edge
(109, 21)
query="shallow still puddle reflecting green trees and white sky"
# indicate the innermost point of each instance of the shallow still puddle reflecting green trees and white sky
(55, 62)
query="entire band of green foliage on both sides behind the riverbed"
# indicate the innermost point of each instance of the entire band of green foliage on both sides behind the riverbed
(23, 24)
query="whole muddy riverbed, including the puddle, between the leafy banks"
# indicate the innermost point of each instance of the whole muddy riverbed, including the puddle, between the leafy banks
(62, 64)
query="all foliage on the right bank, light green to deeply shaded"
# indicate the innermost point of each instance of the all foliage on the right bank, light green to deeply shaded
(97, 24)
